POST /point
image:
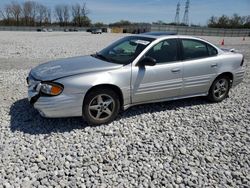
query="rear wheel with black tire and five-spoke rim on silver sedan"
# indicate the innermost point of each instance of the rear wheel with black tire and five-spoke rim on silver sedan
(219, 89)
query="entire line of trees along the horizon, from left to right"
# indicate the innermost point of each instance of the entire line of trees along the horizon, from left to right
(32, 13)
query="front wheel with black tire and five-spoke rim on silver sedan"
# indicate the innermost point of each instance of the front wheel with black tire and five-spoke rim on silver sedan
(101, 106)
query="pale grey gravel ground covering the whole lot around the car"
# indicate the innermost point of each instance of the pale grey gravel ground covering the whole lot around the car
(185, 143)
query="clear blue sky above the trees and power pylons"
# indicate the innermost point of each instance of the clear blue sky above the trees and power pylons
(108, 11)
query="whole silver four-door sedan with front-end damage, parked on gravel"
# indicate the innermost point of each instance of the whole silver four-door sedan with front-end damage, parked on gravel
(136, 69)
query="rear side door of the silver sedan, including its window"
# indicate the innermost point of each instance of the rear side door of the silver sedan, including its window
(199, 66)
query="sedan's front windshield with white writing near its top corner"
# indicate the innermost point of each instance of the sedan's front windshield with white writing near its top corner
(125, 50)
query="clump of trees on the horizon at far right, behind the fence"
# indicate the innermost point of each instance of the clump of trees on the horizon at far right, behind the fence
(232, 22)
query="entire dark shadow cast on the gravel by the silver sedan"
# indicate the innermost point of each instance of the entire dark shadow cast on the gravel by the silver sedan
(26, 119)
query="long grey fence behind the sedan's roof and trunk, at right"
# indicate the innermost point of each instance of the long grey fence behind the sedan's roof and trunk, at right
(202, 31)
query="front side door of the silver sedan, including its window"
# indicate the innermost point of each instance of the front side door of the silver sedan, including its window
(162, 81)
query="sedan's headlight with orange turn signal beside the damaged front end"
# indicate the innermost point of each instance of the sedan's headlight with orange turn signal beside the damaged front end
(52, 89)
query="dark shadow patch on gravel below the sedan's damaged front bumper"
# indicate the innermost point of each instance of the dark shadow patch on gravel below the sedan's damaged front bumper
(26, 119)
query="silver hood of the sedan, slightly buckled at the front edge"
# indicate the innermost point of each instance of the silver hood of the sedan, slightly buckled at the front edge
(71, 66)
